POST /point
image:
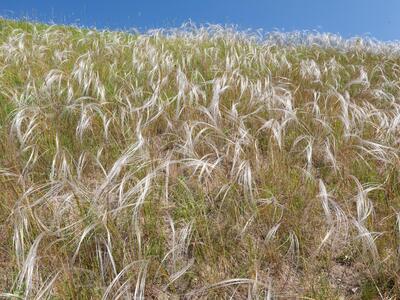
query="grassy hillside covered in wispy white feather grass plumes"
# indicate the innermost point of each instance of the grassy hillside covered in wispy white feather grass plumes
(197, 163)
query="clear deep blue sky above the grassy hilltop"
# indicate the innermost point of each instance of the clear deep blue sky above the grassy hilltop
(376, 18)
